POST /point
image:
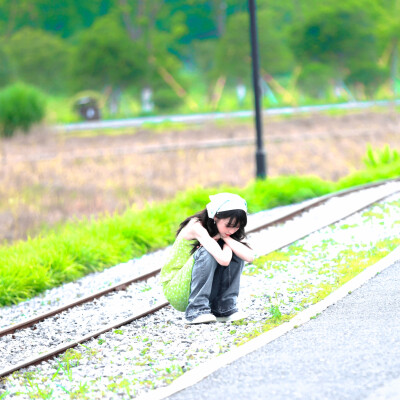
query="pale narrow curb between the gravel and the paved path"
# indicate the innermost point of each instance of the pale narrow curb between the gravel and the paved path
(202, 371)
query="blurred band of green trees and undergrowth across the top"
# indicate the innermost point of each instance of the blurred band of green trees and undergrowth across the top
(194, 56)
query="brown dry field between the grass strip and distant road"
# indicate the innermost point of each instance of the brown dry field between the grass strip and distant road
(47, 178)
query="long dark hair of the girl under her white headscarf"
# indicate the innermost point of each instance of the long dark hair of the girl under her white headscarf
(237, 218)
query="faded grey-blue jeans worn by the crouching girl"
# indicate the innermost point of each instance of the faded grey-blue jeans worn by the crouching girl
(214, 288)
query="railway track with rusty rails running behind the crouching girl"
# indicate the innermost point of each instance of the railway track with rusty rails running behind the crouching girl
(44, 328)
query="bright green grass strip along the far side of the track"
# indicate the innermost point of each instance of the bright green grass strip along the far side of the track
(28, 268)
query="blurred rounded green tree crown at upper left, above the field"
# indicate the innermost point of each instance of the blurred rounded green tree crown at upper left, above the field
(117, 59)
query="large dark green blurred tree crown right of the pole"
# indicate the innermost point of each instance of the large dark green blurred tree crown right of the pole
(338, 34)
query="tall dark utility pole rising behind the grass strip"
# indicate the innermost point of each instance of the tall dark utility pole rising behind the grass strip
(260, 153)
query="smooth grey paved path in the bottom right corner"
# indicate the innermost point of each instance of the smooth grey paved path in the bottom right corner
(350, 351)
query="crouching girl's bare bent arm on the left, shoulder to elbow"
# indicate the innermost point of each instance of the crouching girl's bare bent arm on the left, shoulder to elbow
(194, 230)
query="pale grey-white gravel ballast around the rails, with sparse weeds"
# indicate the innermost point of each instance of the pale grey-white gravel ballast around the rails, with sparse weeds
(154, 350)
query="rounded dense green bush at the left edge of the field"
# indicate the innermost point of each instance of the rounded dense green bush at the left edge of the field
(20, 107)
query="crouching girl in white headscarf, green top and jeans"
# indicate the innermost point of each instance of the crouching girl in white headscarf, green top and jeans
(201, 276)
